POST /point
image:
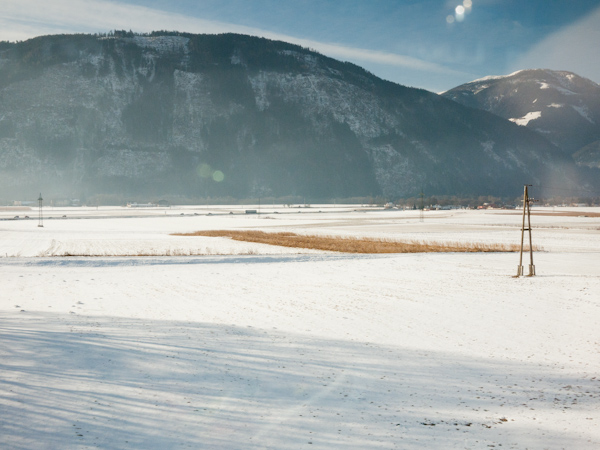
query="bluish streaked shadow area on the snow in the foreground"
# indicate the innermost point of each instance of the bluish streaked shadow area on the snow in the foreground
(227, 386)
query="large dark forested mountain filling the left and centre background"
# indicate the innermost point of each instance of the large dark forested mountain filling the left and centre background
(233, 115)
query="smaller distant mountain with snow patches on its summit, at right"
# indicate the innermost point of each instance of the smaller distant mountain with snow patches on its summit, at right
(561, 106)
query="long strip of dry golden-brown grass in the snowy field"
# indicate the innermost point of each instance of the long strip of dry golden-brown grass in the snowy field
(352, 244)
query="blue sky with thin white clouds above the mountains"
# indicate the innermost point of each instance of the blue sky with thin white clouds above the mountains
(432, 44)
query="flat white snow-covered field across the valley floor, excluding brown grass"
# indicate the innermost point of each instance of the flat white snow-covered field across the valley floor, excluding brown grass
(219, 344)
